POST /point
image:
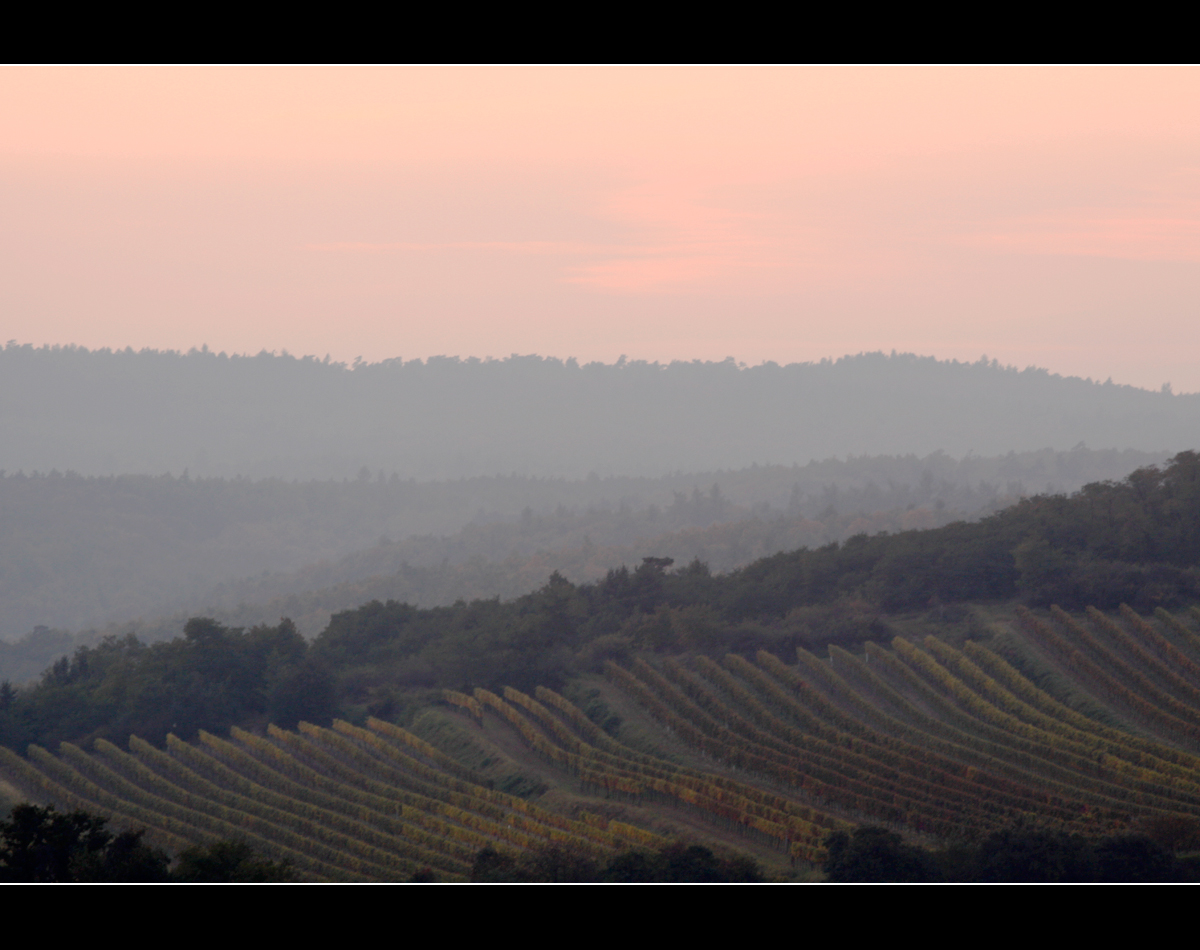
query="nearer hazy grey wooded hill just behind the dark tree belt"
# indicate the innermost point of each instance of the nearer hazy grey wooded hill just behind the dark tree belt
(86, 552)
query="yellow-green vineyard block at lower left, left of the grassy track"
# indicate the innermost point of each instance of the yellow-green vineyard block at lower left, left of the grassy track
(343, 804)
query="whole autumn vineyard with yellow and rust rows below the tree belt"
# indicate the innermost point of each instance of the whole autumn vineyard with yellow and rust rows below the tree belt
(1087, 723)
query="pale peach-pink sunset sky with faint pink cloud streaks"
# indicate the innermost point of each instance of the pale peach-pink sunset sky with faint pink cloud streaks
(1040, 217)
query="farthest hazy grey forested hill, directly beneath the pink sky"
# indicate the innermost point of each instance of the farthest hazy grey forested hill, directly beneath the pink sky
(106, 413)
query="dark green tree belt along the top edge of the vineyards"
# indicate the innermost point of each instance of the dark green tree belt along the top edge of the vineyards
(1136, 542)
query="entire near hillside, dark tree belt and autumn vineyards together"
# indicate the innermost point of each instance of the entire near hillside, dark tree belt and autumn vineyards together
(927, 681)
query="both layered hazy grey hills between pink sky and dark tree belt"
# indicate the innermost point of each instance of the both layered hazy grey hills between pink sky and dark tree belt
(86, 554)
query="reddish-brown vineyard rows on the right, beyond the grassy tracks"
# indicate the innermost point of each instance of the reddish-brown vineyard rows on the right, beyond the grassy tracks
(957, 741)
